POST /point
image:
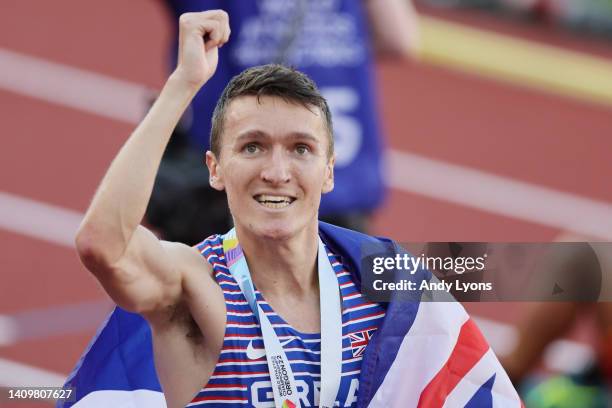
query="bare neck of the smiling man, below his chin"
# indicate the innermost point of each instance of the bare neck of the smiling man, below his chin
(281, 266)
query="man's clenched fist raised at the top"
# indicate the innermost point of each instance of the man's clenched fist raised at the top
(200, 37)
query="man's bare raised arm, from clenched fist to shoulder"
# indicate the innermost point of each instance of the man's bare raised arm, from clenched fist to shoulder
(138, 271)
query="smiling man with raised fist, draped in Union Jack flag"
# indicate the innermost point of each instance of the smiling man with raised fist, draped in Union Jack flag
(228, 332)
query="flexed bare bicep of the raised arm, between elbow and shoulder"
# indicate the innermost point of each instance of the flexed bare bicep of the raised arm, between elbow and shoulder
(148, 276)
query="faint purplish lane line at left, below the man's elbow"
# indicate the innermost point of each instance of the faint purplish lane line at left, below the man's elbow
(52, 321)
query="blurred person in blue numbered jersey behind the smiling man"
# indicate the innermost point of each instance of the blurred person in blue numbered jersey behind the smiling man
(333, 42)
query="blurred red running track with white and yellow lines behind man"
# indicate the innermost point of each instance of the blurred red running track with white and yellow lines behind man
(502, 131)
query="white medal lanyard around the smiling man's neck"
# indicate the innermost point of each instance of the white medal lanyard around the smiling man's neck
(283, 381)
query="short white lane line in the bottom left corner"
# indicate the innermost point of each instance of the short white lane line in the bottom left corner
(14, 374)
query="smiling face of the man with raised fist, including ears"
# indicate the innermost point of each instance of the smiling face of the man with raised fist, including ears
(273, 165)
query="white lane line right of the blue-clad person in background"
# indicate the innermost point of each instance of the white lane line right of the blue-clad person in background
(499, 195)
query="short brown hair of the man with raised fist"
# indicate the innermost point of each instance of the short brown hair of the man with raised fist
(270, 80)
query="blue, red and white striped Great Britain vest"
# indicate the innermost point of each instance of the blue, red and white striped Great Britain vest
(241, 376)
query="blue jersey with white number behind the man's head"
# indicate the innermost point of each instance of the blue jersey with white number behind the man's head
(329, 41)
